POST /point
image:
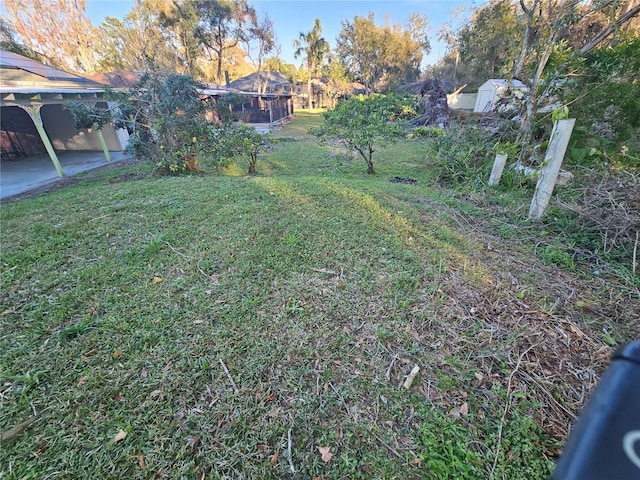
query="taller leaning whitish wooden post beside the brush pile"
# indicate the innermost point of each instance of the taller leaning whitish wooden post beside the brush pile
(551, 167)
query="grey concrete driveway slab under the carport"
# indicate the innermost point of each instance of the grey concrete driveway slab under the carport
(20, 176)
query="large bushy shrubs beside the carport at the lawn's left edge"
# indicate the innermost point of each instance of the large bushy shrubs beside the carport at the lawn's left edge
(179, 129)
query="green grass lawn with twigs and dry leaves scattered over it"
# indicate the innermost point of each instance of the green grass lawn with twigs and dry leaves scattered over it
(226, 326)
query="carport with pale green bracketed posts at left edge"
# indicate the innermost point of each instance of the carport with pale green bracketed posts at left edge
(33, 121)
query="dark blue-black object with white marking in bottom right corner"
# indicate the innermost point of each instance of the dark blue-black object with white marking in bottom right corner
(605, 443)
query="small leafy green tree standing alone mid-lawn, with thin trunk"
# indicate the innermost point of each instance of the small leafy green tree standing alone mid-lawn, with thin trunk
(364, 122)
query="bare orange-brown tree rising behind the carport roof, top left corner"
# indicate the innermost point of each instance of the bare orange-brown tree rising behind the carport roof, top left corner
(57, 29)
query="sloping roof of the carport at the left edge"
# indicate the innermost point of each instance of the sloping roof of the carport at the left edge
(17, 71)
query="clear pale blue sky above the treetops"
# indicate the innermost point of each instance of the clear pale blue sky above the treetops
(292, 17)
